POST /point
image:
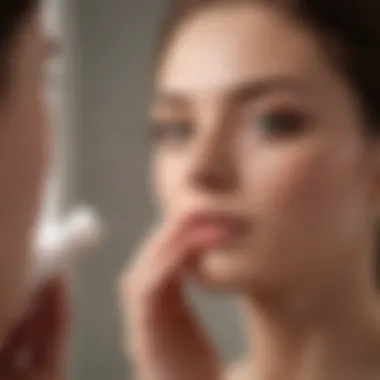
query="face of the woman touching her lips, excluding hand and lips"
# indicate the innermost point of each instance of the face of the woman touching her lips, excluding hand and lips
(253, 120)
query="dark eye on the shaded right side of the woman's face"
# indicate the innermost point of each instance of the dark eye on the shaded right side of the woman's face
(282, 123)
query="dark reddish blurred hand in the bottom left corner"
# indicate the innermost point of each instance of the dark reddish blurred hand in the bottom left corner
(35, 349)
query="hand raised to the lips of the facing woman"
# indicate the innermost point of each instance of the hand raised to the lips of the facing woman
(165, 340)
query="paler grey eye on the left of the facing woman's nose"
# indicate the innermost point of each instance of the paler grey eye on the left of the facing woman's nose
(172, 132)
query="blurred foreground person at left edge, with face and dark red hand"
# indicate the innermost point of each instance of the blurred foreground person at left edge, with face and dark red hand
(32, 347)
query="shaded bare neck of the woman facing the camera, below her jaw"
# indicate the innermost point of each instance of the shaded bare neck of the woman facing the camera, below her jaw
(337, 336)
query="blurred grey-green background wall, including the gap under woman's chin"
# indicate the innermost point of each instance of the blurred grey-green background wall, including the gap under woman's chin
(99, 88)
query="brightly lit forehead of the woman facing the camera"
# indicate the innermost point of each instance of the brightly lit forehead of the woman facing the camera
(221, 47)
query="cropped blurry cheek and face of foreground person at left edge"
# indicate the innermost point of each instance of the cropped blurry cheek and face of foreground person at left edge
(23, 156)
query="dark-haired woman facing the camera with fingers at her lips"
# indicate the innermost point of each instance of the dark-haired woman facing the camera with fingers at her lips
(267, 171)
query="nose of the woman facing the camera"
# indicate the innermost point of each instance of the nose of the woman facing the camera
(214, 166)
